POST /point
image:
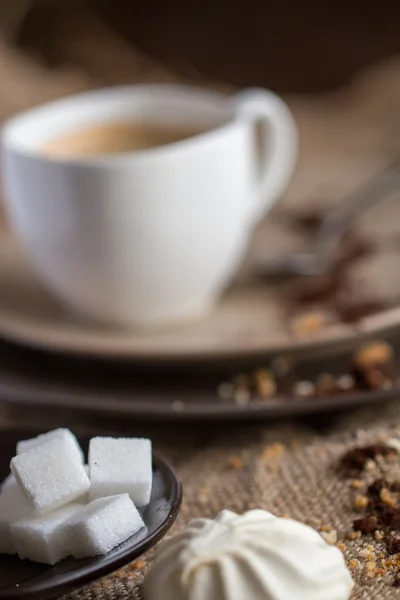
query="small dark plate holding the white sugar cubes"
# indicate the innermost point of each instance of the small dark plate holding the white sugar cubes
(32, 581)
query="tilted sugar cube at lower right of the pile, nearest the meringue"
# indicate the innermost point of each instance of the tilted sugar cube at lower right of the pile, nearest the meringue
(102, 525)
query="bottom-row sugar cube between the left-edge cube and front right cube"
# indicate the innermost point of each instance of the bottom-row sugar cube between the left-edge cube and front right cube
(43, 538)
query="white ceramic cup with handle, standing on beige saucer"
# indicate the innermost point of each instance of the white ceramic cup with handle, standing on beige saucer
(148, 237)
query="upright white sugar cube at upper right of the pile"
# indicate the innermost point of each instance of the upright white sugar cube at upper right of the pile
(121, 465)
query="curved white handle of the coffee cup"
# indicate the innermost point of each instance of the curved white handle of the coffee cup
(278, 147)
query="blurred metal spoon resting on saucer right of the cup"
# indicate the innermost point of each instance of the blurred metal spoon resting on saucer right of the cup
(331, 230)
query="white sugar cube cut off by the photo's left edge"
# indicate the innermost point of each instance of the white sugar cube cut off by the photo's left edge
(13, 506)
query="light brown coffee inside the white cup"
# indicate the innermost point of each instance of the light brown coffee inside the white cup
(114, 138)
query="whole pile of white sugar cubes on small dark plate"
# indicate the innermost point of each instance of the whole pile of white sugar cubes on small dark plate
(53, 506)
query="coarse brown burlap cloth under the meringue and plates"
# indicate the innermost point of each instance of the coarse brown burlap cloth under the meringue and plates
(286, 468)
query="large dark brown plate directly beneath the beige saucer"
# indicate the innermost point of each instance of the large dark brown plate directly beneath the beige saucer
(33, 379)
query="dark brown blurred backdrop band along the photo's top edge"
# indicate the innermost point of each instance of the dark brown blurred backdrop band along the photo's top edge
(288, 46)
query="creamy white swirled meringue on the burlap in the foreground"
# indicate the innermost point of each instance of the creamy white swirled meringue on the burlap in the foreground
(254, 556)
